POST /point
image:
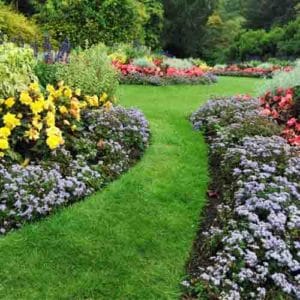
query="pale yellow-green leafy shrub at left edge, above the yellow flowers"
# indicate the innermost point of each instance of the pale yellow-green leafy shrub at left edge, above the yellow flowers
(16, 68)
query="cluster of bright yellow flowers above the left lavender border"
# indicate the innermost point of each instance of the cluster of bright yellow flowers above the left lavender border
(44, 116)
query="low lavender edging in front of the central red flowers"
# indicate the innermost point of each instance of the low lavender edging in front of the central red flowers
(141, 79)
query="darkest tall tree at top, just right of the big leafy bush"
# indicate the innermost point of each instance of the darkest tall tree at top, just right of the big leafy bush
(184, 25)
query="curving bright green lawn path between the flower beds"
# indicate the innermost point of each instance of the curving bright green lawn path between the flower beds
(132, 240)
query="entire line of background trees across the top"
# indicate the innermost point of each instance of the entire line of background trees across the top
(216, 30)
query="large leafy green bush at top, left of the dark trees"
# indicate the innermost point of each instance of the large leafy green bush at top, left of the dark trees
(109, 21)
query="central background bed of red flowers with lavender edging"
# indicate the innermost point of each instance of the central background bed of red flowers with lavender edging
(159, 74)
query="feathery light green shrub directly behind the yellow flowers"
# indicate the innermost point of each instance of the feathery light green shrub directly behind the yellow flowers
(90, 70)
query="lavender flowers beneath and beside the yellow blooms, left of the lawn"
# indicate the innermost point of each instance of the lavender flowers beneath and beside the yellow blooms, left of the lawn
(112, 142)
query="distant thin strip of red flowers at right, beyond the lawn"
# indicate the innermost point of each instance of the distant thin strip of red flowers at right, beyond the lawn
(255, 72)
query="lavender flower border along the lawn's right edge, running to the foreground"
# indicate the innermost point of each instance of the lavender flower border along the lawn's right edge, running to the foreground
(252, 250)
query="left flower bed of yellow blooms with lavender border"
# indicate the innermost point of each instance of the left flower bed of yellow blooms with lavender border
(58, 146)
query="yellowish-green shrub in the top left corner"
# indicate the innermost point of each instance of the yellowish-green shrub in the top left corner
(15, 25)
